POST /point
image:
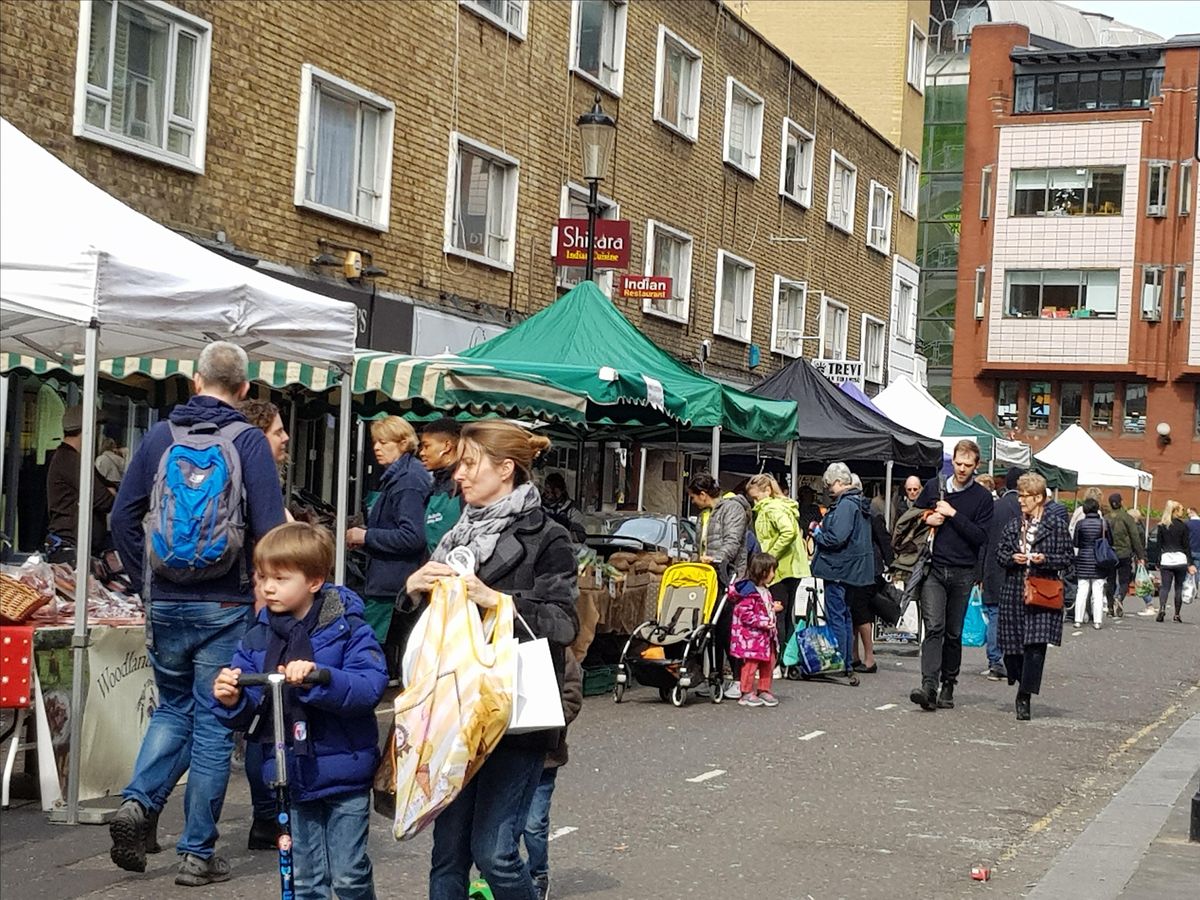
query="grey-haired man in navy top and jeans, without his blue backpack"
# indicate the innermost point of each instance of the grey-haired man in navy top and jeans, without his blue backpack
(193, 631)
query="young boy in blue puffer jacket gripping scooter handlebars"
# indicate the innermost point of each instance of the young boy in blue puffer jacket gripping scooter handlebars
(310, 625)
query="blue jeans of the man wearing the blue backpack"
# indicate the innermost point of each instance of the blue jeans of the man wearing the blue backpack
(190, 643)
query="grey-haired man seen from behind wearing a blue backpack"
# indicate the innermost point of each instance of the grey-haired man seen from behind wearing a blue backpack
(199, 494)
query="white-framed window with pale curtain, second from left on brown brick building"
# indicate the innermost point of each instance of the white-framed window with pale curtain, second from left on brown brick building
(344, 154)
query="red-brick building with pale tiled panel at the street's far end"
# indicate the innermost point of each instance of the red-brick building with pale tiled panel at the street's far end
(1078, 261)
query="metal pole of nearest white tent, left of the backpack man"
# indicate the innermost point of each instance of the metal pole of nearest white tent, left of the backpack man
(83, 565)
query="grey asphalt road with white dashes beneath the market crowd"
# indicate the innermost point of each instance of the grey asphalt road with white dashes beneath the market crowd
(839, 793)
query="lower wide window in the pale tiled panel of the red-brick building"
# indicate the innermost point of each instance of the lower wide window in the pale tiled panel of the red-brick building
(1060, 295)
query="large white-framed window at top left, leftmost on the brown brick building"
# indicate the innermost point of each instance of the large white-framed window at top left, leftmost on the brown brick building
(142, 80)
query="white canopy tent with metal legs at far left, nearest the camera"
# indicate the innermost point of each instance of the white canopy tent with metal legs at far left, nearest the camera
(85, 275)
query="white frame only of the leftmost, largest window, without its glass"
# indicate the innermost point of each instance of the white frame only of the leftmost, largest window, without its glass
(179, 22)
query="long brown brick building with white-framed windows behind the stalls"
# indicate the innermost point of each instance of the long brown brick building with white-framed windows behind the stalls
(439, 141)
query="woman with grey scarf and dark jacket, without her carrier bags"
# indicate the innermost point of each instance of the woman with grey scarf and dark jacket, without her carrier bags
(519, 551)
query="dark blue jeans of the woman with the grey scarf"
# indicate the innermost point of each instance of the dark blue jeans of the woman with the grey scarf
(484, 826)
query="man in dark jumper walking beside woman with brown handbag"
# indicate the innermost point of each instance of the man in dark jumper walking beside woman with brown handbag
(962, 517)
